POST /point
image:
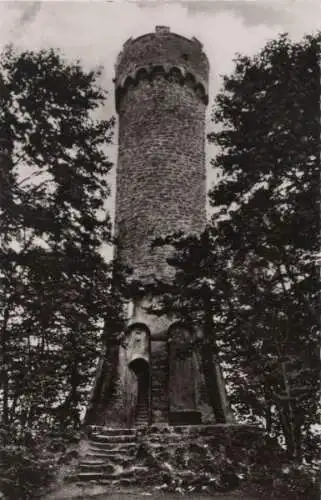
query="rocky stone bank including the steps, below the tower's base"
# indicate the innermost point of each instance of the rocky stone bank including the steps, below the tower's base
(213, 458)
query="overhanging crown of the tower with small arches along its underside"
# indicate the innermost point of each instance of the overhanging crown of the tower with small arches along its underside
(162, 51)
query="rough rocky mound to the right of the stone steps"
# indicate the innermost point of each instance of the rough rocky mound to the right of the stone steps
(218, 456)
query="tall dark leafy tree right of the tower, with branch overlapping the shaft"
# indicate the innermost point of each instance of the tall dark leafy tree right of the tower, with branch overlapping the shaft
(256, 263)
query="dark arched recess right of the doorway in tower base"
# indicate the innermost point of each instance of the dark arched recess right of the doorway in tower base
(182, 390)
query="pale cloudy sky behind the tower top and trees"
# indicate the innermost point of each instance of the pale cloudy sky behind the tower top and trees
(94, 32)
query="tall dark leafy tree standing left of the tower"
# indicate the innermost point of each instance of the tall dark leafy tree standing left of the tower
(55, 286)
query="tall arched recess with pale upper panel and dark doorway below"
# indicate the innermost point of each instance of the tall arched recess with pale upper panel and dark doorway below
(138, 359)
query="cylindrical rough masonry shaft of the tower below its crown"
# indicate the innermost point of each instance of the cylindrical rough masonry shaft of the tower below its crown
(161, 170)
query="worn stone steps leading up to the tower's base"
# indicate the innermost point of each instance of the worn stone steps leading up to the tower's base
(110, 458)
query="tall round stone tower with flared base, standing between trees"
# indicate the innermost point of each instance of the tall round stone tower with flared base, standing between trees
(161, 90)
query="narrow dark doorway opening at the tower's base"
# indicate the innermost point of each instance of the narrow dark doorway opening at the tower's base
(141, 369)
